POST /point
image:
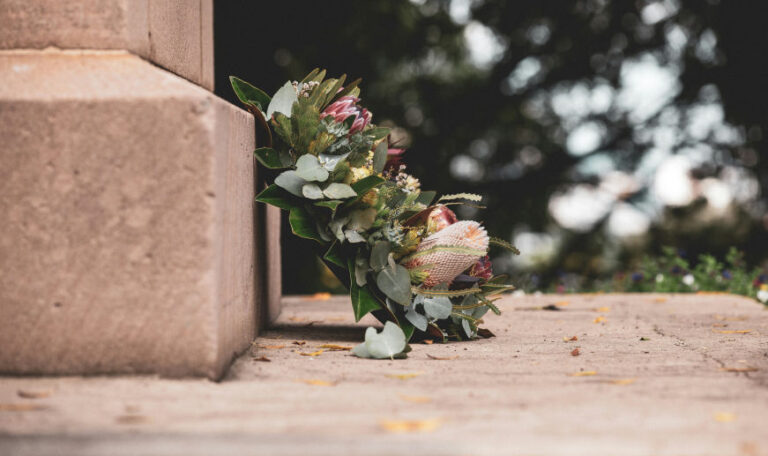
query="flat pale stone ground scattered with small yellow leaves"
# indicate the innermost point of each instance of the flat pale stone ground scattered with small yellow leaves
(669, 379)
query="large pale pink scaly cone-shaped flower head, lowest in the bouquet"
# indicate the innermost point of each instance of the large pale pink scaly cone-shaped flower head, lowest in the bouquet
(449, 252)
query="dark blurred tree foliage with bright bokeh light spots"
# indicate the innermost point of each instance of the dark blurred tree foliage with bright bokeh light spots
(597, 130)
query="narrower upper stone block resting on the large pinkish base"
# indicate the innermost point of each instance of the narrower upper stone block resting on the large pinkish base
(175, 34)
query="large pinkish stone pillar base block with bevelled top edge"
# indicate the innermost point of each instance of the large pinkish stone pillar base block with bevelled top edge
(127, 202)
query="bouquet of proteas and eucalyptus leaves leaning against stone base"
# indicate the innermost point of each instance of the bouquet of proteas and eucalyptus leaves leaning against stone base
(402, 252)
